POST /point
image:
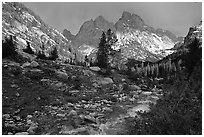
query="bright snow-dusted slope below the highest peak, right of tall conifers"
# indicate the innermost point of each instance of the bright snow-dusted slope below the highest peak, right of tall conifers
(150, 42)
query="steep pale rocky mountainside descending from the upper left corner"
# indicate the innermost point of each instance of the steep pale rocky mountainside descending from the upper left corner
(26, 26)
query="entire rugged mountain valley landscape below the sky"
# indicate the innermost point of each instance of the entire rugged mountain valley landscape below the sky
(125, 78)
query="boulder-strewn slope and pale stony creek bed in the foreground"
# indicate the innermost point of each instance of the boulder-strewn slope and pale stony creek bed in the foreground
(43, 97)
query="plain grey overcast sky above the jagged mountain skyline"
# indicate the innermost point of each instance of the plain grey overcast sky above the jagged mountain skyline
(173, 16)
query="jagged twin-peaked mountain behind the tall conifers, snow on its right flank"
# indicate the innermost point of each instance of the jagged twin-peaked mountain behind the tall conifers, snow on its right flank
(136, 39)
